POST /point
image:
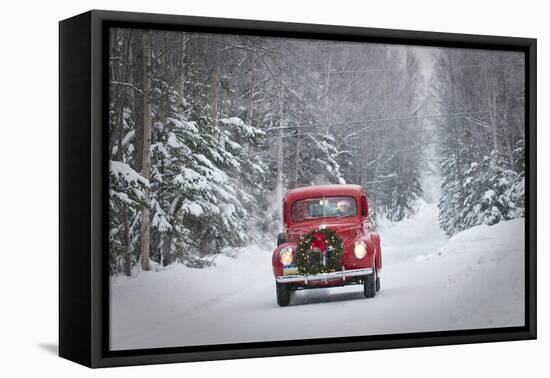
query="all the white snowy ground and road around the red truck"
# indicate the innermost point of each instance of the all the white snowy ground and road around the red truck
(429, 283)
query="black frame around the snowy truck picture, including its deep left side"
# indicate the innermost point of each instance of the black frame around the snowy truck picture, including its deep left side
(83, 248)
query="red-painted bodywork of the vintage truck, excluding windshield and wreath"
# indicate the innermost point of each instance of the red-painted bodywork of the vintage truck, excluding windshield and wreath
(350, 228)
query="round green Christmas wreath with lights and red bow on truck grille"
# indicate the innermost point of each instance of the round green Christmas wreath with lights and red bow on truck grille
(319, 251)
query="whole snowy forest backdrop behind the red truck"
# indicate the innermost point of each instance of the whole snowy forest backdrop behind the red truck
(207, 131)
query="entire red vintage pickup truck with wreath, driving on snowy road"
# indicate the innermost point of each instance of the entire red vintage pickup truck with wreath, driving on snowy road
(326, 242)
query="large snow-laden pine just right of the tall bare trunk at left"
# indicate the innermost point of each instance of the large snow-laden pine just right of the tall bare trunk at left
(196, 205)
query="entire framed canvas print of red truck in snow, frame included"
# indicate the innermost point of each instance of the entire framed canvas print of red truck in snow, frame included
(233, 188)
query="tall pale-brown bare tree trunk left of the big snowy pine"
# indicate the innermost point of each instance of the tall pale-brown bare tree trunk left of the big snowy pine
(147, 127)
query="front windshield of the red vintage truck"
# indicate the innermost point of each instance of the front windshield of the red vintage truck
(325, 207)
